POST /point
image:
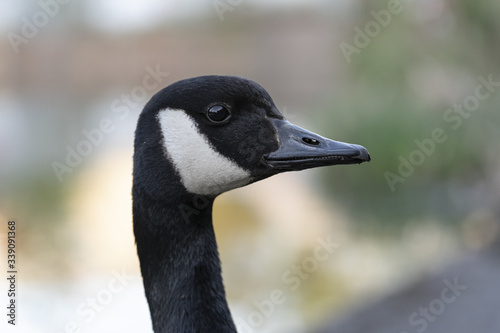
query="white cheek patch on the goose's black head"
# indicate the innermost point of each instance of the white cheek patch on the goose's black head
(202, 169)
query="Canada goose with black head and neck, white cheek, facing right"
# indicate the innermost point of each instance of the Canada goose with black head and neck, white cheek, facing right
(195, 139)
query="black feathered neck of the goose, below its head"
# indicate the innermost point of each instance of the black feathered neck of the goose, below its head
(180, 265)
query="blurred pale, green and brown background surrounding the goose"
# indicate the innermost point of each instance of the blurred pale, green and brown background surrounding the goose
(415, 82)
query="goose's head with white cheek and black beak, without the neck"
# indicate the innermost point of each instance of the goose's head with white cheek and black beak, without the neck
(210, 134)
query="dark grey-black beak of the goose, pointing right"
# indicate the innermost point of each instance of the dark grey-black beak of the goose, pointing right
(301, 149)
